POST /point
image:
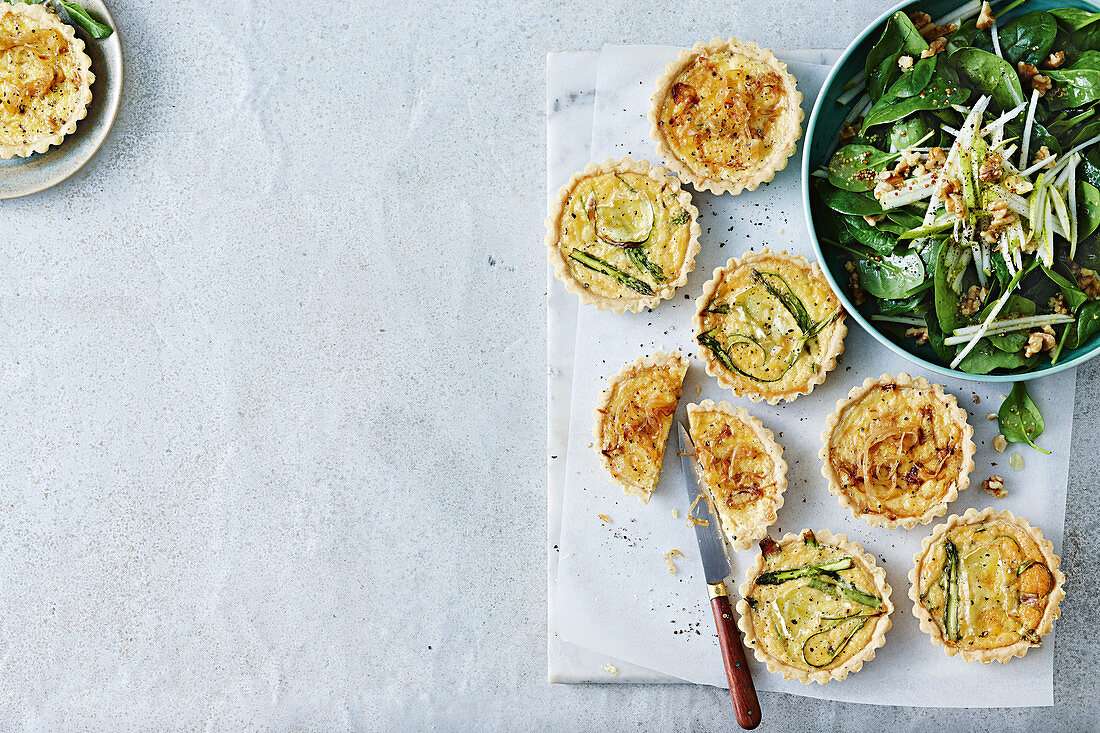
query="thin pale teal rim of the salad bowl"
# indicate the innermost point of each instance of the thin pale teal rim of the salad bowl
(853, 311)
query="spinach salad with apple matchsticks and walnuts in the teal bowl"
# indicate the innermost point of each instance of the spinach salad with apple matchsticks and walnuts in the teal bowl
(964, 192)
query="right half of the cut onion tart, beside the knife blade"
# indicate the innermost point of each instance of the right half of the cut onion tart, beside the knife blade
(742, 469)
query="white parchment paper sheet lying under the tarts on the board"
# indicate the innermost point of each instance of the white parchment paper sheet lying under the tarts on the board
(615, 595)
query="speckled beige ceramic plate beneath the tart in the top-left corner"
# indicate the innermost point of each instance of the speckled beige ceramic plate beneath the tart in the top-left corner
(43, 171)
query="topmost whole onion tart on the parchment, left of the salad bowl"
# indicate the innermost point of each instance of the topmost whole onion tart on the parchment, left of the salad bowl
(727, 116)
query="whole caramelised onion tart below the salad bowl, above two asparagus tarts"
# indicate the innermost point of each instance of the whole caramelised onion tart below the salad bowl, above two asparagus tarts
(907, 439)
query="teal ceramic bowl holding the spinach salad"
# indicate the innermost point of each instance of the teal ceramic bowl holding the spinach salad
(826, 124)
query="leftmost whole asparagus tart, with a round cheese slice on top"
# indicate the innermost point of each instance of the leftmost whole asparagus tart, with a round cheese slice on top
(623, 235)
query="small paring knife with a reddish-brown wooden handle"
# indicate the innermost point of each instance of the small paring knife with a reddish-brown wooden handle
(716, 570)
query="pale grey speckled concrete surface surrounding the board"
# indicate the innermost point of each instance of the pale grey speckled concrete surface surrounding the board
(273, 387)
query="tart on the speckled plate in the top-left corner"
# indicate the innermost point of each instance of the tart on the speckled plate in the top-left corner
(46, 80)
